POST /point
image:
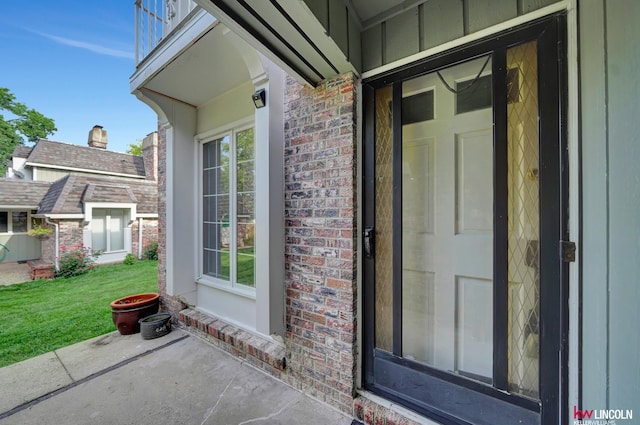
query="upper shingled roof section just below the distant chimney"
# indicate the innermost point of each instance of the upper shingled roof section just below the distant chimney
(74, 157)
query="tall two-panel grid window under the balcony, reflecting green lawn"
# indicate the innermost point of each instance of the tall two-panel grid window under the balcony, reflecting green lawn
(228, 208)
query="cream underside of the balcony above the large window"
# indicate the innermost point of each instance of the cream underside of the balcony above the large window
(210, 67)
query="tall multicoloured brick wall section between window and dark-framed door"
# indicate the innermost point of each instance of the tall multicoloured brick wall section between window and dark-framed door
(320, 214)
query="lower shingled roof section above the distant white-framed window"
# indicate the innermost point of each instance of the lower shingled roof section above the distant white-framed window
(68, 194)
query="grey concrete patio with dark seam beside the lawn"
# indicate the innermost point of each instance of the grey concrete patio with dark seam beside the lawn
(175, 379)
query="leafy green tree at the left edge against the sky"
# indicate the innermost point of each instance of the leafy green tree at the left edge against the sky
(25, 125)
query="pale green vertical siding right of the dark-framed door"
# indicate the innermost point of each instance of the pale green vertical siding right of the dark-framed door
(610, 59)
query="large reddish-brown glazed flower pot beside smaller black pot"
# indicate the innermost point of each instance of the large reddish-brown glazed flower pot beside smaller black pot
(127, 311)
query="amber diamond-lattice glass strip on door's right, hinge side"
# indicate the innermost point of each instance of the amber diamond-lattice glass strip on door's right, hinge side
(524, 226)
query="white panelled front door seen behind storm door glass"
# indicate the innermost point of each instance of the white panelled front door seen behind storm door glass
(447, 215)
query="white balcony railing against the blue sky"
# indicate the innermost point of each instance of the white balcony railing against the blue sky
(155, 19)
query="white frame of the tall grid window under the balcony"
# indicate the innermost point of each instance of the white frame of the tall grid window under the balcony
(231, 286)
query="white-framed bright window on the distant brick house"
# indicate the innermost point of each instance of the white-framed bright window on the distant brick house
(107, 229)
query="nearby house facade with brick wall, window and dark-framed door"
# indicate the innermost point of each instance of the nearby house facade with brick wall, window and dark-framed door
(441, 222)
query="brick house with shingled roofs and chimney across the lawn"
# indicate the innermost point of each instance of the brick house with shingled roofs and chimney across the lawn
(104, 200)
